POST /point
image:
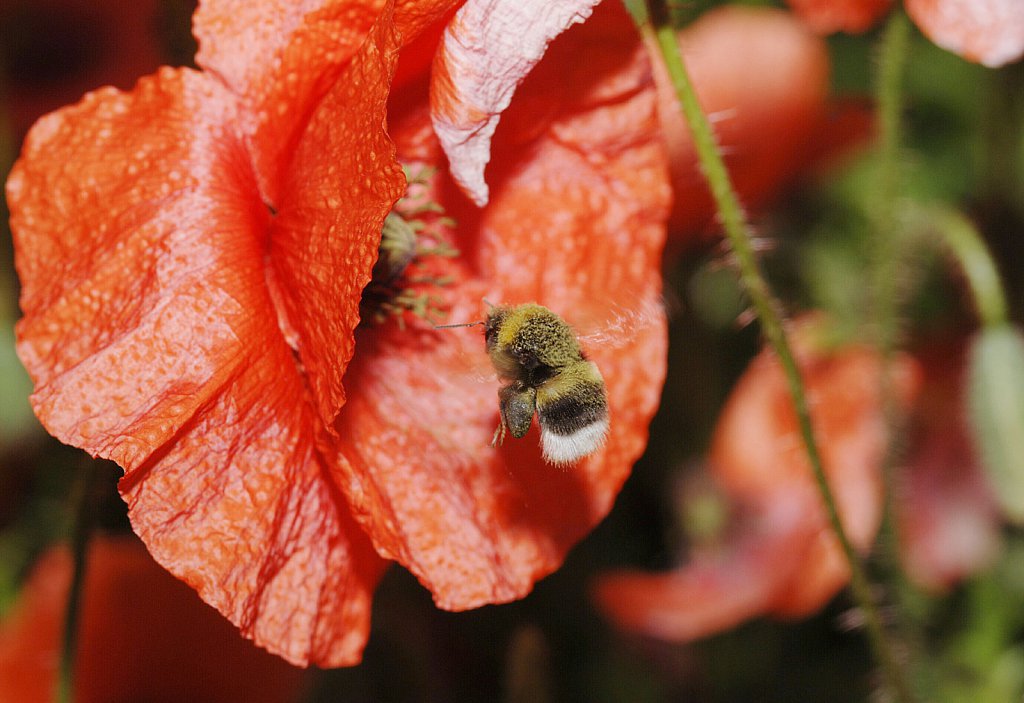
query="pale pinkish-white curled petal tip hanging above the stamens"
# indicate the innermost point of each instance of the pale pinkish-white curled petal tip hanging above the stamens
(488, 50)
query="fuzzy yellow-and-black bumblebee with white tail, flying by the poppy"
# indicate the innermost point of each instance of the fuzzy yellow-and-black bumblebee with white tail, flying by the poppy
(538, 355)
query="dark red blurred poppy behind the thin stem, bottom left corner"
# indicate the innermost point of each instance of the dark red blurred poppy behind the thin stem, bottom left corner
(143, 636)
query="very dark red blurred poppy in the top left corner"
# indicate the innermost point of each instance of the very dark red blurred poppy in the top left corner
(55, 51)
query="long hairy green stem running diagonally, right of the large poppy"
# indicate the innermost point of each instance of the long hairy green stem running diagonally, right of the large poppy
(740, 237)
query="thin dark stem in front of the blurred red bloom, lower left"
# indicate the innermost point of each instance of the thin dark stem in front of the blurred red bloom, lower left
(81, 528)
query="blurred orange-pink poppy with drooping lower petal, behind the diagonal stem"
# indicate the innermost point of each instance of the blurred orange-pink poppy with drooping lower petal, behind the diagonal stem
(782, 558)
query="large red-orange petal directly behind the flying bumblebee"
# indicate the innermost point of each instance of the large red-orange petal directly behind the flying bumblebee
(578, 225)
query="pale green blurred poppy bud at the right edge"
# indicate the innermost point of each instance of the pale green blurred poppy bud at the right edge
(997, 412)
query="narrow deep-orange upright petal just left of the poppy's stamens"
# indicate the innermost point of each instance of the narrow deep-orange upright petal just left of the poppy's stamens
(344, 181)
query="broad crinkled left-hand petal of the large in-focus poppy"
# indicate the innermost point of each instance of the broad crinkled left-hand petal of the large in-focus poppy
(153, 341)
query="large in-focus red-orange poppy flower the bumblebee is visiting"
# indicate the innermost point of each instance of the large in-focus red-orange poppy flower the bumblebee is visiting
(194, 256)
